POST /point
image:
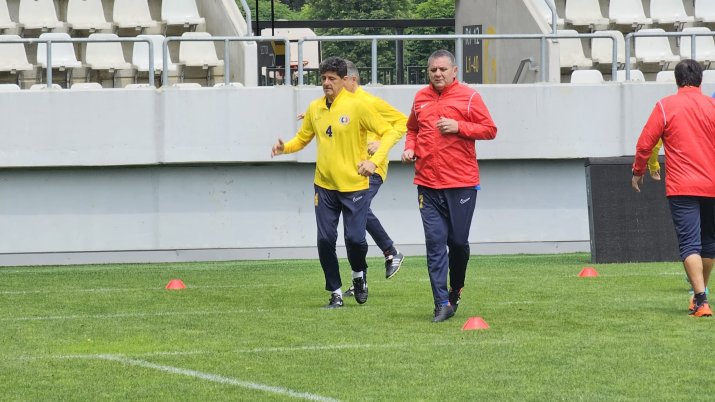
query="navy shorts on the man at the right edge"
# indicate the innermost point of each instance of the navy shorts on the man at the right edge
(694, 221)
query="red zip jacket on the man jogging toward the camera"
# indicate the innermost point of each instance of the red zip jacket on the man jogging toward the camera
(447, 160)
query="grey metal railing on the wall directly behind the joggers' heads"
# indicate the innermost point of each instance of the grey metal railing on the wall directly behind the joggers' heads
(458, 46)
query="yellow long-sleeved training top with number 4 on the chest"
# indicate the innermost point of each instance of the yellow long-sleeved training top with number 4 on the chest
(341, 133)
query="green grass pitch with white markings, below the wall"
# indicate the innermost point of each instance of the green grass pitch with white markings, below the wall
(624, 335)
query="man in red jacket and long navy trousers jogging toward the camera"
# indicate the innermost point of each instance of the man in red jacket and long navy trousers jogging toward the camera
(446, 119)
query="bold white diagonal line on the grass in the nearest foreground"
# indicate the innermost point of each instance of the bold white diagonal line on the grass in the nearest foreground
(213, 378)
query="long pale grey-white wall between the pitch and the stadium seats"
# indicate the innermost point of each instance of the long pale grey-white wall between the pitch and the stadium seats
(175, 174)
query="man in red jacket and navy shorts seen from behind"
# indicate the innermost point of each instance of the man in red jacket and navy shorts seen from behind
(686, 123)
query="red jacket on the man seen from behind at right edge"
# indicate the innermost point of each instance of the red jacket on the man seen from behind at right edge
(686, 122)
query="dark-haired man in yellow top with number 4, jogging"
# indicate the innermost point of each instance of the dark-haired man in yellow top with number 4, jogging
(340, 121)
